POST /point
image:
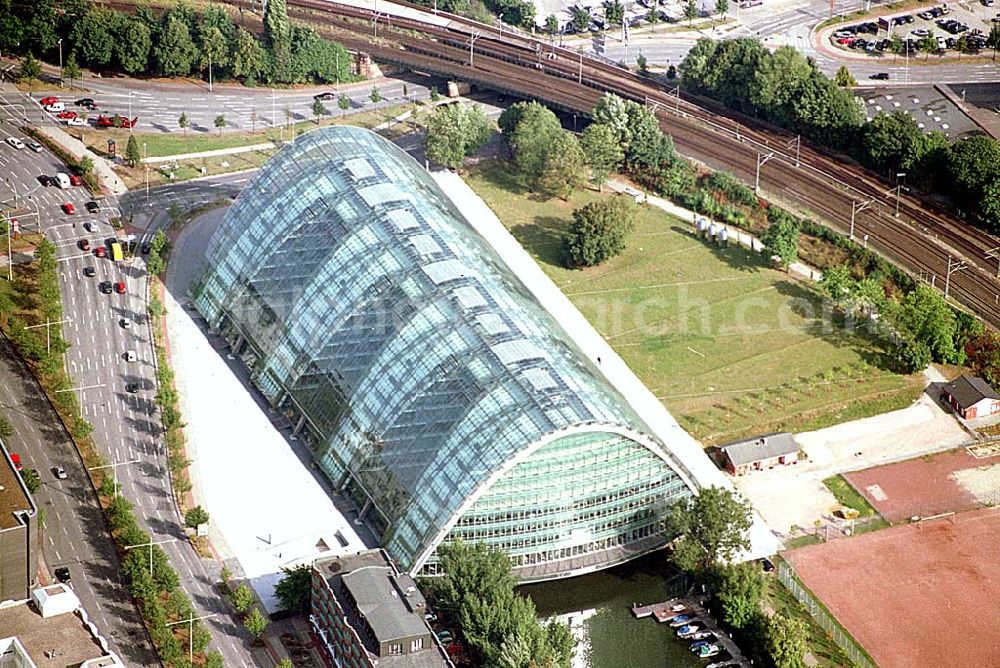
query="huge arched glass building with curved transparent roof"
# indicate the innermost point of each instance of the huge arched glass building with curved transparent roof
(433, 389)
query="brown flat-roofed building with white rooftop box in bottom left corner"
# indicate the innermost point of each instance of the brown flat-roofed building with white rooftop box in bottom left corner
(52, 631)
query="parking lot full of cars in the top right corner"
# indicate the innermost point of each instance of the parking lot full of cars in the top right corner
(940, 29)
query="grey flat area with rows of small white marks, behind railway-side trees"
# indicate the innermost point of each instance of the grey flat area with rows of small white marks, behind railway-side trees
(932, 110)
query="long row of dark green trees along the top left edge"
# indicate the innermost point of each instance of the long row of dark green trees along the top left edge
(180, 42)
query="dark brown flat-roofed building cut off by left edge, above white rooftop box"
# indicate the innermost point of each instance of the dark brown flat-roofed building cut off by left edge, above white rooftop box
(18, 533)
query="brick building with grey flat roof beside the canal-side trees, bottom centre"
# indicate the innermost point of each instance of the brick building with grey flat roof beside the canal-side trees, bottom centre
(366, 613)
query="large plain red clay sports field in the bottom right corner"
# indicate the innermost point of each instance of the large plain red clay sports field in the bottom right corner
(922, 594)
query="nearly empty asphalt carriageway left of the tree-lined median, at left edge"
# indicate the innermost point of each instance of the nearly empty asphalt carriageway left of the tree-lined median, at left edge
(74, 532)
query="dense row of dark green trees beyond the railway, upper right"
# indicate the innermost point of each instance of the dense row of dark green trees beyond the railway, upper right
(787, 89)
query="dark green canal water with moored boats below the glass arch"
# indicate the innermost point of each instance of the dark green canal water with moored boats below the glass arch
(617, 639)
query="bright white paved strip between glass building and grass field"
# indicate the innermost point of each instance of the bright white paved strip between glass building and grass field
(614, 370)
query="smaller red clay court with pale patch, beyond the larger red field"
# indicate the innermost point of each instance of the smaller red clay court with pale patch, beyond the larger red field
(920, 487)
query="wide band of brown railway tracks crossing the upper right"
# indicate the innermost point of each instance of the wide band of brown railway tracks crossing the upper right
(926, 241)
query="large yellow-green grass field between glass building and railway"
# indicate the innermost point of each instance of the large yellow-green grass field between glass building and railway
(731, 346)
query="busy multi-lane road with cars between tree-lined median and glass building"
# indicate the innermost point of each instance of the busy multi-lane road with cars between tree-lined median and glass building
(126, 425)
